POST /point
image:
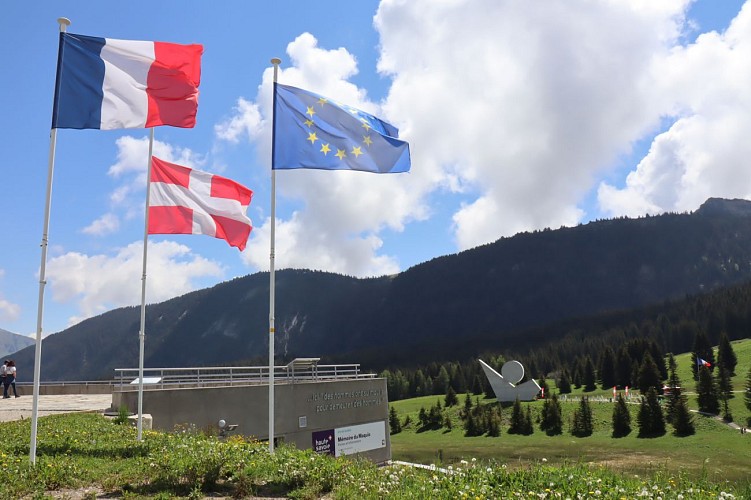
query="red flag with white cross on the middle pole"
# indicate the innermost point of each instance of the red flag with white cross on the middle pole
(189, 201)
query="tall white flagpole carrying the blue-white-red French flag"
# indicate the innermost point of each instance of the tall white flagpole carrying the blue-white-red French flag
(64, 23)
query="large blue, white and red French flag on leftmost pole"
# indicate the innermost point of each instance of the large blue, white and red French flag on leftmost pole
(104, 83)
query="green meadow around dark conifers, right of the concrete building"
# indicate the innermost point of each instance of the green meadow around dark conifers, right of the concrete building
(716, 452)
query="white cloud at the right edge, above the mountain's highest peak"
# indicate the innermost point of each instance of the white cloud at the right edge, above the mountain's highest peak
(705, 152)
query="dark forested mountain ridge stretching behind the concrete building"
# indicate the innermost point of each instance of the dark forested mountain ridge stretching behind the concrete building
(491, 292)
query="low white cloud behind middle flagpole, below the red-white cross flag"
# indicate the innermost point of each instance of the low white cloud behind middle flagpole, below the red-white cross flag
(98, 283)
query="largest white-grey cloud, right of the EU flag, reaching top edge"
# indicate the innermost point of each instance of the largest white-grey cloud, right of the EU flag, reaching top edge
(527, 111)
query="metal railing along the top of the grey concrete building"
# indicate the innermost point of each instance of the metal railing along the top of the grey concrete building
(127, 378)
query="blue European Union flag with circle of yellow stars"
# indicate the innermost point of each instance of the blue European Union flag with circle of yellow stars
(311, 131)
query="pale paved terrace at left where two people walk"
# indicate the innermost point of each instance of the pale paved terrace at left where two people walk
(21, 408)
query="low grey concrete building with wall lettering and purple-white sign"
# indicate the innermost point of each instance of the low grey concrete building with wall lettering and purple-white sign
(350, 413)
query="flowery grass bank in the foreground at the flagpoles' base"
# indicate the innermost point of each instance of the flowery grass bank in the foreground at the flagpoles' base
(89, 454)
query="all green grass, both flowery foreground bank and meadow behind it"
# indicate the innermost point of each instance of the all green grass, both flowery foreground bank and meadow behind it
(86, 456)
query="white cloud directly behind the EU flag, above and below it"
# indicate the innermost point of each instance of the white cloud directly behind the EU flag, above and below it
(338, 228)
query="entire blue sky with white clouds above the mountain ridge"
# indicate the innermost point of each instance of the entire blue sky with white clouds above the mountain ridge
(519, 116)
